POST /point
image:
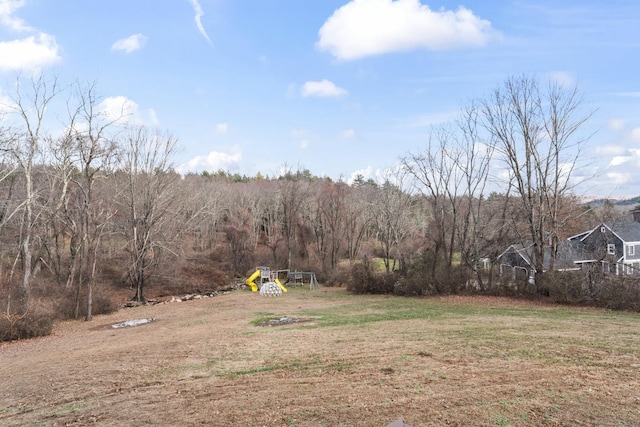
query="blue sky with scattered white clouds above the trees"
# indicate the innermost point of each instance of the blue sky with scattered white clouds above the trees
(335, 86)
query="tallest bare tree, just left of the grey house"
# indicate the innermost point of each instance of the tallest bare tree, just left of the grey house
(535, 131)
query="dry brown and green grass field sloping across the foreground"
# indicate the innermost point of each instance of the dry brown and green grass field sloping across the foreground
(363, 361)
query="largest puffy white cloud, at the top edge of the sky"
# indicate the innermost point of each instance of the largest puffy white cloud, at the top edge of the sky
(364, 28)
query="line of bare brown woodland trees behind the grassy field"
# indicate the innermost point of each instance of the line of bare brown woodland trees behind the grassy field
(95, 188)
